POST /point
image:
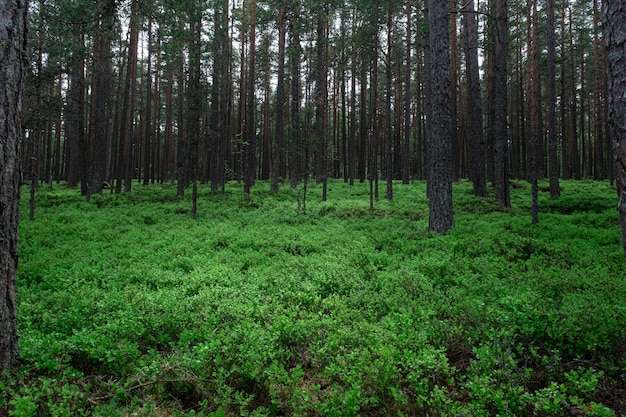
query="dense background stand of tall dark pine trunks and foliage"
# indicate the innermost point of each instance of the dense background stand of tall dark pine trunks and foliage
(215, 90)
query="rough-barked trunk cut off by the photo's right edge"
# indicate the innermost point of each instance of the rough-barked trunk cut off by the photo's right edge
(615, 41)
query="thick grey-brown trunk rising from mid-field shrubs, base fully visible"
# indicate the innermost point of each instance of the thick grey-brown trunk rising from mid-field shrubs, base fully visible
(440, 162)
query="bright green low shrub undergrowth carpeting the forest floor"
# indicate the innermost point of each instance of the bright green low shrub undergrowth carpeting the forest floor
(129, 306)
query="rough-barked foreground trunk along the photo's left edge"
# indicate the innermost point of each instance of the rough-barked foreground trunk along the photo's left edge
(12, 70)
